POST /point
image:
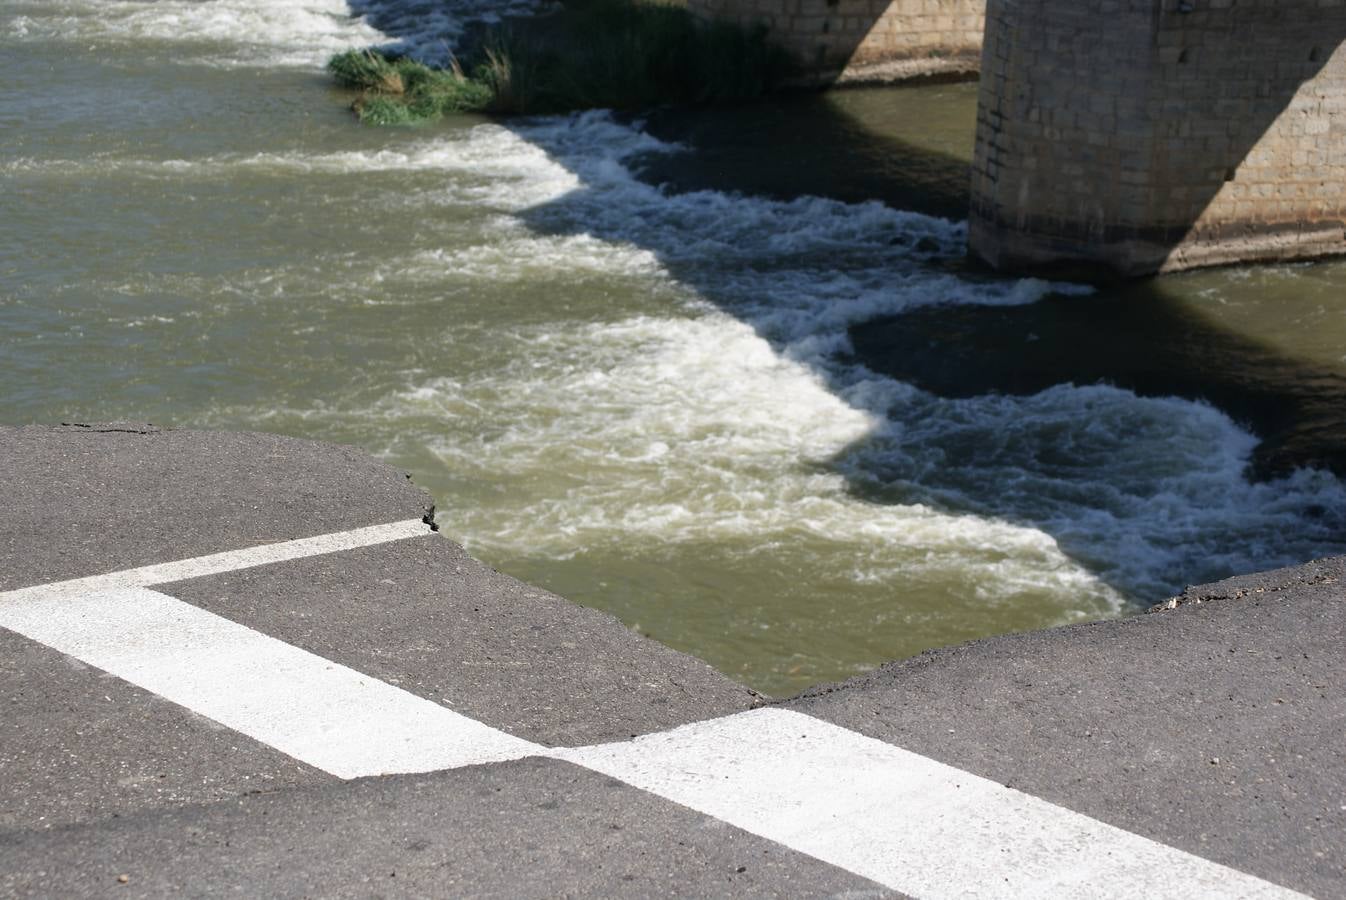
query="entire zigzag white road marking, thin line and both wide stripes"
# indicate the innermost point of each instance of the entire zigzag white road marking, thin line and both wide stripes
(905, 821)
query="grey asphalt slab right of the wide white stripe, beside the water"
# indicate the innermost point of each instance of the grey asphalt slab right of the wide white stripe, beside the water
(1126, 720)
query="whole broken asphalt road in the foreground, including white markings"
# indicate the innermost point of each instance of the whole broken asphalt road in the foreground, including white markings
(244, 665)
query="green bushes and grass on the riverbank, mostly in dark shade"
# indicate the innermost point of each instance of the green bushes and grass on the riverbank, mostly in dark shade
(613, 54)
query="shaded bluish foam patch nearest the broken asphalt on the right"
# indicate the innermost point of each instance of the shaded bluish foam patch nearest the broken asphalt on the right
(1150, 493)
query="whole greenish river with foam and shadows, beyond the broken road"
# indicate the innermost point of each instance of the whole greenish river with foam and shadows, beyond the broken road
(753, 414)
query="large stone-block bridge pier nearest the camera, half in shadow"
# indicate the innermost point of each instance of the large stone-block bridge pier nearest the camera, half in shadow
(1158, 135)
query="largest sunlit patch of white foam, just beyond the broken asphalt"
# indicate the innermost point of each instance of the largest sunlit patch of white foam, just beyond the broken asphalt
(693, 431)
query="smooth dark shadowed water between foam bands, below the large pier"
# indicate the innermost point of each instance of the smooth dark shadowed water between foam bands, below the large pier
(1142, 338)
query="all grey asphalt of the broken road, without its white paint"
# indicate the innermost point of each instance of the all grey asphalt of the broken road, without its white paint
(1216, 726)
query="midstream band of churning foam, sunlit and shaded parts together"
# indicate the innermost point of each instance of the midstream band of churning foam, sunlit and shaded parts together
(740, 418)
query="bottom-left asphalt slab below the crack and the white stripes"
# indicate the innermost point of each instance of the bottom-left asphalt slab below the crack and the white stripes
(527, 829)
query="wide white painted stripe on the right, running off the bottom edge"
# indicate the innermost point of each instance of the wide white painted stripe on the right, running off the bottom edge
(905, 821)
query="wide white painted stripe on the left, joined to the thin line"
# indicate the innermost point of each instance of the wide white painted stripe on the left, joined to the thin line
(322, 714)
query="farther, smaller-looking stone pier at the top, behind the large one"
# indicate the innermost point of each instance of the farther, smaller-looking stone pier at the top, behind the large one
(847, 41)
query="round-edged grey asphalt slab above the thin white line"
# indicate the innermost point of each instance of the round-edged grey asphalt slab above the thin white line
(90, 500)
